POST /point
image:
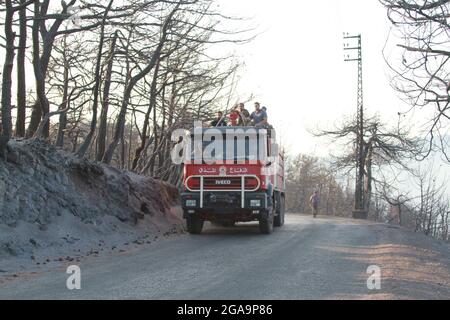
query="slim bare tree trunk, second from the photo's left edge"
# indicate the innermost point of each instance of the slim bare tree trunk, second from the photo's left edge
(21, 82)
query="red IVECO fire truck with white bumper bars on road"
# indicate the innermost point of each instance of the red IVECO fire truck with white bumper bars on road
(241, 186)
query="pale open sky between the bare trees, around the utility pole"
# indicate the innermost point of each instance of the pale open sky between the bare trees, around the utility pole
(295, 66)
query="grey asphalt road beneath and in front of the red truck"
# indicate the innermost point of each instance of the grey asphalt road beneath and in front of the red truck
(324, 258)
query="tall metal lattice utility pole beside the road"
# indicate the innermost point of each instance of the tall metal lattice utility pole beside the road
(360, 210)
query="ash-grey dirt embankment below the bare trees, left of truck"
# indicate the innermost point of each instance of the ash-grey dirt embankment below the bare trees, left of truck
(53, 202)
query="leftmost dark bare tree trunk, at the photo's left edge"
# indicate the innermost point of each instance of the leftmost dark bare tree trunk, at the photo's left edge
(7, 79)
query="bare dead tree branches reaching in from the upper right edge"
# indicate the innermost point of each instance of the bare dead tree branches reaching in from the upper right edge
(422, 77)
